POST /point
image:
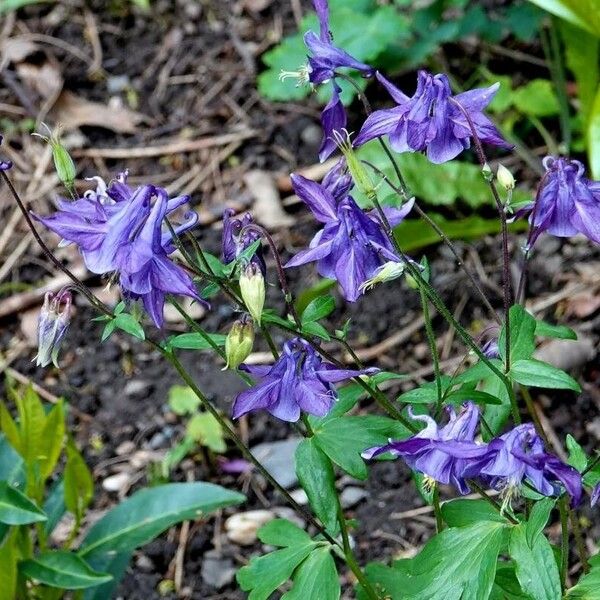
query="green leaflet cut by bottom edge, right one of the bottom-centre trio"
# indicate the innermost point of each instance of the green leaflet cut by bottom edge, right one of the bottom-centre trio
(316, 578)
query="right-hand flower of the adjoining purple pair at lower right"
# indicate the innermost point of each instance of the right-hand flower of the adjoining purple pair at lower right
(518, 456)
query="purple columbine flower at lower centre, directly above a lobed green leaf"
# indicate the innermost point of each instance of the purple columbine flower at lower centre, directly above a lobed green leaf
(298, 381)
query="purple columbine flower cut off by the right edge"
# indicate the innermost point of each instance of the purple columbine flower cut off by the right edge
(567, 202)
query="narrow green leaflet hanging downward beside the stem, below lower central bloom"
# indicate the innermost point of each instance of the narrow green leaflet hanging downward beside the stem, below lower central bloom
(315, 474)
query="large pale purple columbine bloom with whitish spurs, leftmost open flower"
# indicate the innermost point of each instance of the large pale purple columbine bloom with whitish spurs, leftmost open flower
(119, 229)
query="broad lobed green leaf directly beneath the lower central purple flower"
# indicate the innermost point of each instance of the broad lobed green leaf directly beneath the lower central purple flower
(344, 438)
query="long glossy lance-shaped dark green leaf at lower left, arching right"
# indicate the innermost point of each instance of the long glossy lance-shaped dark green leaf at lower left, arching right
(149, 512)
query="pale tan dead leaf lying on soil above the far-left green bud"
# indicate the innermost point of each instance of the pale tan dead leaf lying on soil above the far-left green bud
(72, 111)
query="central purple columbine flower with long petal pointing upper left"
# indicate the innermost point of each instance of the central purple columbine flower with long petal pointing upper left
(352, 246)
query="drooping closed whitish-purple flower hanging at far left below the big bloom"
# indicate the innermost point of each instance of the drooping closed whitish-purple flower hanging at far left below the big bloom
(52, 325)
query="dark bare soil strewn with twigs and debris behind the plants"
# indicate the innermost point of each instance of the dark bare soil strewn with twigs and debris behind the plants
(123, 387)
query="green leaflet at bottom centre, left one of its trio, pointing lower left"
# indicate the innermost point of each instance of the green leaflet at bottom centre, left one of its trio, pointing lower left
(263, 575)
